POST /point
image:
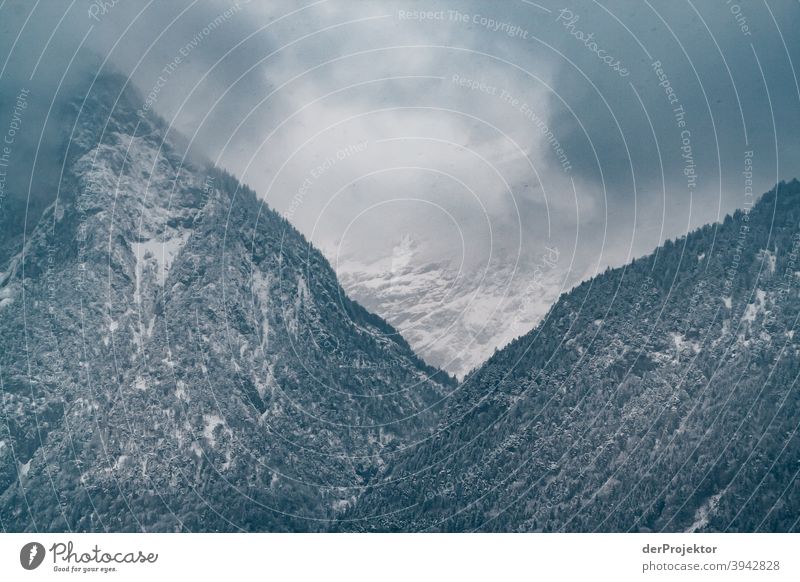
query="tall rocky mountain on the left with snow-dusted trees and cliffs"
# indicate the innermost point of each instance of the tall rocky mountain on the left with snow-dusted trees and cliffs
(175, 356)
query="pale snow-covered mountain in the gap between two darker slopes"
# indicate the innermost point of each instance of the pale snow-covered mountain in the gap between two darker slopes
(454, 316)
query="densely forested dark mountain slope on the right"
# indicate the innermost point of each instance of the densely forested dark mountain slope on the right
(661, 396)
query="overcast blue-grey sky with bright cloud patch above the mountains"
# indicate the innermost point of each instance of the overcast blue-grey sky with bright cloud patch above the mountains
(485, 131)
